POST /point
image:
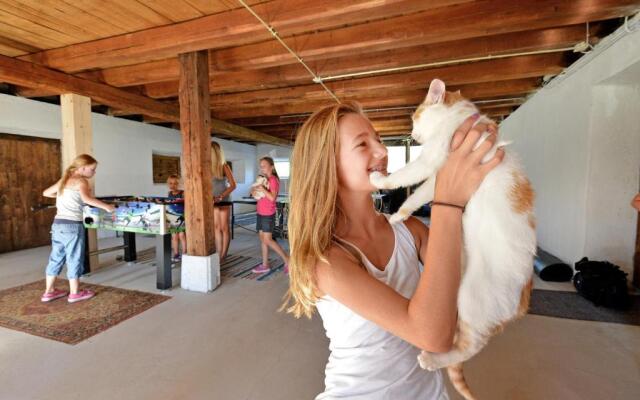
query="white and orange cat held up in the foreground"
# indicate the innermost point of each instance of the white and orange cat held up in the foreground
(498, 230)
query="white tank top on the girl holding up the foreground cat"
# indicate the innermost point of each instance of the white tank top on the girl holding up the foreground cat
(367, 362)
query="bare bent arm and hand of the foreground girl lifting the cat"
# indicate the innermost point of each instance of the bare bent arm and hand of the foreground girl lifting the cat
(428, 319)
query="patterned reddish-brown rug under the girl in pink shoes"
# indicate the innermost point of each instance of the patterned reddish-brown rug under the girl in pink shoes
(22, 310)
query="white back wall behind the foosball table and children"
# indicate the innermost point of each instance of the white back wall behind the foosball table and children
(124, 148)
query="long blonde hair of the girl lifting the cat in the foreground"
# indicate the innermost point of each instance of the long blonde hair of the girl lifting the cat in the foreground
(313, 210)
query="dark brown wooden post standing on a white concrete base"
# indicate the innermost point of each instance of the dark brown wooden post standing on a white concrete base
(195, 124)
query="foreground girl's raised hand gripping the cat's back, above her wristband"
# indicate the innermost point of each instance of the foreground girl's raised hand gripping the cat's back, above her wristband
(463, 172)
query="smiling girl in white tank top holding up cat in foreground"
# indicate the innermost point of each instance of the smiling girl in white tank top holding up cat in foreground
(365, 275)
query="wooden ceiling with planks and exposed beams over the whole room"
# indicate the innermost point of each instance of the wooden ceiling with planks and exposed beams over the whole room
(495, 51)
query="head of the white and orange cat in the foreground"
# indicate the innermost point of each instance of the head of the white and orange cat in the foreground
(435, 110)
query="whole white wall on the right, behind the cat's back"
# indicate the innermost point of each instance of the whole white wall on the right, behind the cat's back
(580, 144)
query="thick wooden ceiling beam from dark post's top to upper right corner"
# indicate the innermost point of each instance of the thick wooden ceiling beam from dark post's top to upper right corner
(428, 27)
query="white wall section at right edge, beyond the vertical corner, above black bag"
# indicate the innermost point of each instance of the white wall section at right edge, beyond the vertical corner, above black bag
(614, 169)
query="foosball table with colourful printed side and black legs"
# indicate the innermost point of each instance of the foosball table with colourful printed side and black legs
(160, 216)
